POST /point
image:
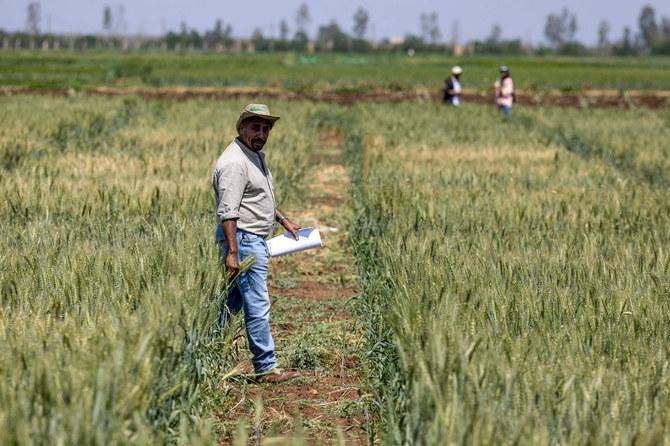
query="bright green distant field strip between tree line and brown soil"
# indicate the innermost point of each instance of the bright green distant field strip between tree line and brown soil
(331, 72)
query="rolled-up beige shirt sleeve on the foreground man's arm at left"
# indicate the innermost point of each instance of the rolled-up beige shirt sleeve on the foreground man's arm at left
(230, 183)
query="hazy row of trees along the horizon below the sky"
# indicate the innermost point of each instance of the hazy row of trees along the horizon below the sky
(653, 37)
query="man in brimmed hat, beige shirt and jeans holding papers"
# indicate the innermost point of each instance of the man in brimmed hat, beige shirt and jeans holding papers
(246, 213)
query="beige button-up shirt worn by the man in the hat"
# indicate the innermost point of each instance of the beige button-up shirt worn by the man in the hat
(243, 189)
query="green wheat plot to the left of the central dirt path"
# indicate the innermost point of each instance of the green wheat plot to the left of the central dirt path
(110, 280)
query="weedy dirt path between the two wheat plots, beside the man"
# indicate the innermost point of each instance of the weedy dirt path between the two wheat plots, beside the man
(313, 328)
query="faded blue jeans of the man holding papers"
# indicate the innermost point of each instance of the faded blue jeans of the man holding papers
(250, 293)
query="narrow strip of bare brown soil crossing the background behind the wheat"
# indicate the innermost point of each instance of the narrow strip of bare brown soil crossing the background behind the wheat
(580, 99)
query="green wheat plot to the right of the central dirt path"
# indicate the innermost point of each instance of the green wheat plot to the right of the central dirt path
(516, 275)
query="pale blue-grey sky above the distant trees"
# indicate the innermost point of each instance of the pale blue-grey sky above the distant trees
(523, 19)
